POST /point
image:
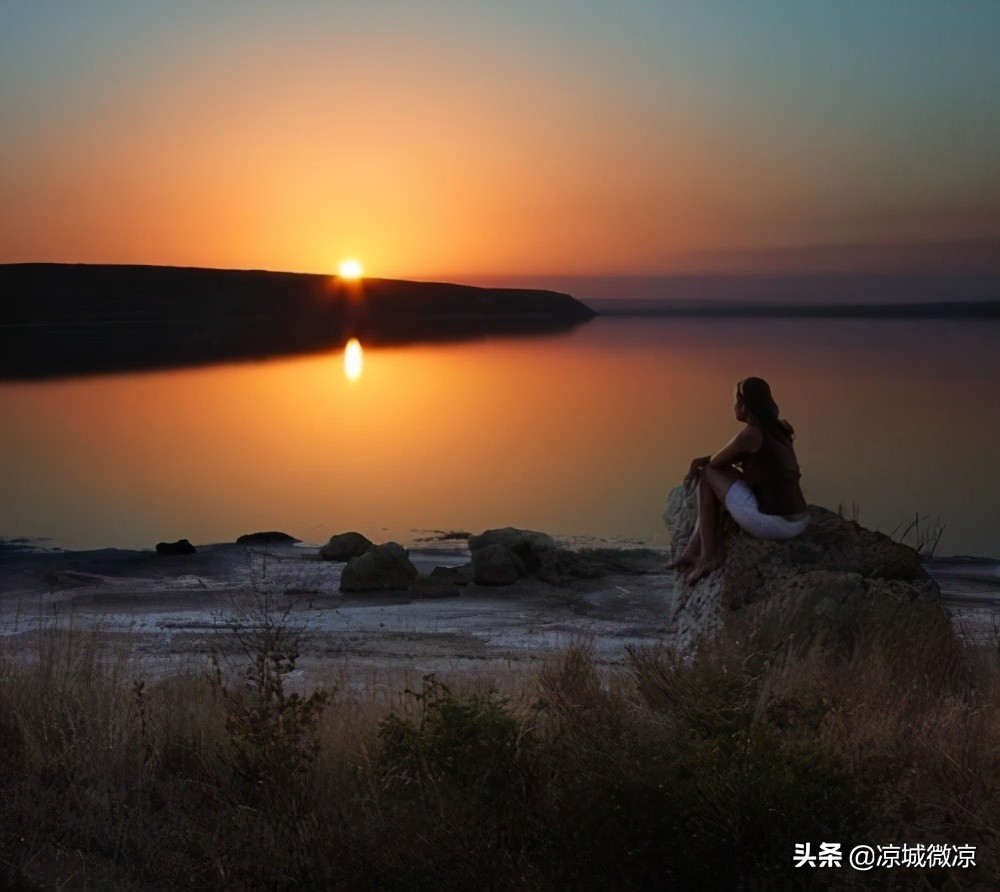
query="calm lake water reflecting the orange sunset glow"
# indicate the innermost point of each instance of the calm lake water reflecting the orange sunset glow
(578, 435)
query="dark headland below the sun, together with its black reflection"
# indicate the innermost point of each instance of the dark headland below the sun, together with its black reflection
(73, 319)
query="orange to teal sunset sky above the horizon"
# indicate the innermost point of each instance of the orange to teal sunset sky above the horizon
(451, 139)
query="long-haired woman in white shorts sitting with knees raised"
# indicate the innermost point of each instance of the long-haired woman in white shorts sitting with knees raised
(755, 477)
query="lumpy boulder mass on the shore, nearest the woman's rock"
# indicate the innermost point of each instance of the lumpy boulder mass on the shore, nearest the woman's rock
(502, 556)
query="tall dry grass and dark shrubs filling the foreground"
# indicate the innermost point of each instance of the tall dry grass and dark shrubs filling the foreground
(665, 773)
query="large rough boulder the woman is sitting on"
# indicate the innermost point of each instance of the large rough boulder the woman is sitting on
(828, 585)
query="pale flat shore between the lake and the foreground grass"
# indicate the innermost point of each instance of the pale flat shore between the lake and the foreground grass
(172, 610)
